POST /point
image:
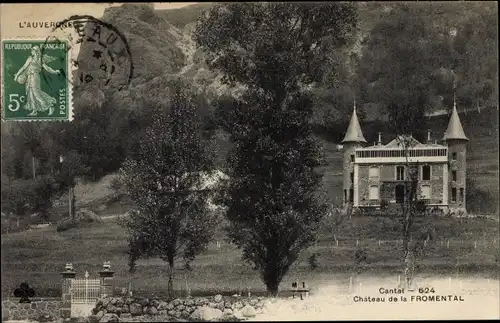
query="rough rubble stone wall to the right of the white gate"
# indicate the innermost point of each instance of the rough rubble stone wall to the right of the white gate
(218, 307)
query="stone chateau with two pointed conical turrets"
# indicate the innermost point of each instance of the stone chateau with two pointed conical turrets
(376, 173)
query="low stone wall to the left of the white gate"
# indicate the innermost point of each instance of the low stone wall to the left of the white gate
(37, 310)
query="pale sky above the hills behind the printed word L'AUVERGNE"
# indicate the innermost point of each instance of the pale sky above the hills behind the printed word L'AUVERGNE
(14, 16)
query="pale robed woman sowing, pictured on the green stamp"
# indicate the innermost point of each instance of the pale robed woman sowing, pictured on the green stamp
(29, 74)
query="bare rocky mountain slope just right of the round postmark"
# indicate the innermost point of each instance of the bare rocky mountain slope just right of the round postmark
(160, 51)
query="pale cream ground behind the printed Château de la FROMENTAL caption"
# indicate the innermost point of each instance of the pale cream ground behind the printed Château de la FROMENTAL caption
(481, 300)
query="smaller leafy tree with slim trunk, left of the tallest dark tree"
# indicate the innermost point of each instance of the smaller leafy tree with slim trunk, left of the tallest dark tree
(165, 176)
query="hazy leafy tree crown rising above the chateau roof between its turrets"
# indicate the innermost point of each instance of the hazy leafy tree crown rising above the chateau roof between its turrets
(400, 58)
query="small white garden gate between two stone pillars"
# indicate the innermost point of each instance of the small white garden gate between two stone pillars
(84, 294)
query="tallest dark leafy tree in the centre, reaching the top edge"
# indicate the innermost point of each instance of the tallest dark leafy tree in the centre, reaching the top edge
(277, 52)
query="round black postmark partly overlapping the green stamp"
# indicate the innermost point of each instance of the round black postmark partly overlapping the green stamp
(100, 55)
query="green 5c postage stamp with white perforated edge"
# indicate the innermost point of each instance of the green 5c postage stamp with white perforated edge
(35, 84)
